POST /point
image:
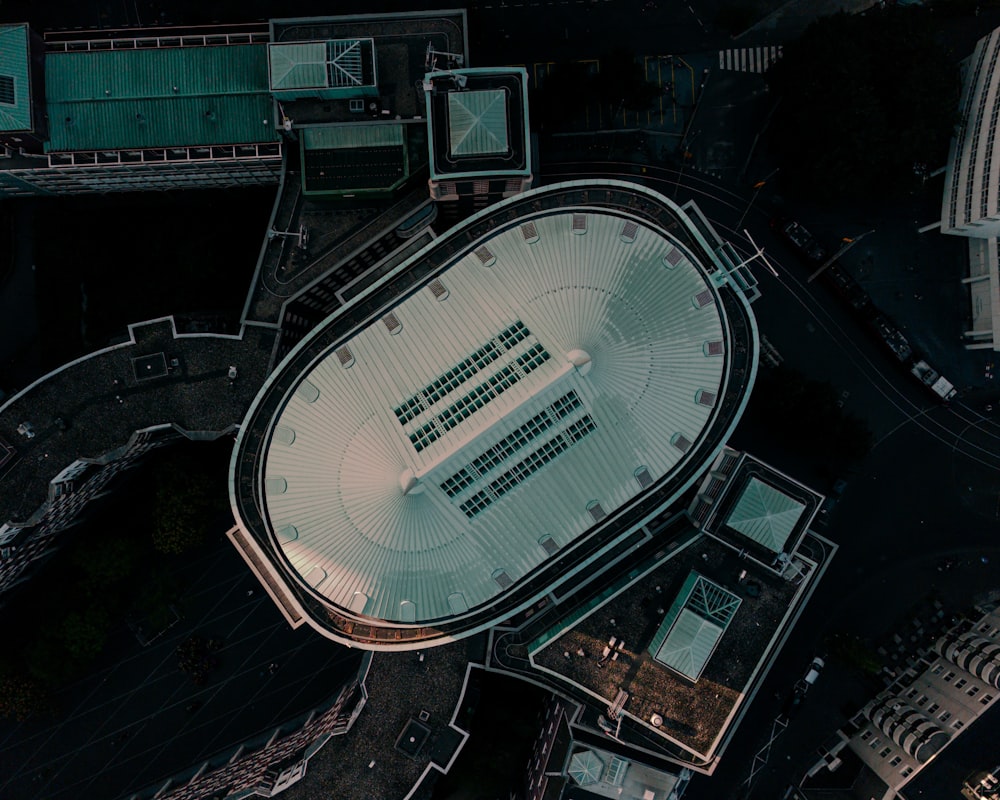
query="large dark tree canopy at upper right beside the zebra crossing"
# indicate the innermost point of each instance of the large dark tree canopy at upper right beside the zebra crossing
(864, 98)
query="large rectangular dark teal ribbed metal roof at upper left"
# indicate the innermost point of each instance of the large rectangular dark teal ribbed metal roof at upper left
(164, 97)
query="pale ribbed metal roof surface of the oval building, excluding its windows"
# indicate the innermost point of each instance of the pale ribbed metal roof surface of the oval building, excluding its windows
(377, 531)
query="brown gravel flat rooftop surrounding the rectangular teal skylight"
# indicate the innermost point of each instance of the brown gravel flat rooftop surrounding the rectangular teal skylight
(693, 714)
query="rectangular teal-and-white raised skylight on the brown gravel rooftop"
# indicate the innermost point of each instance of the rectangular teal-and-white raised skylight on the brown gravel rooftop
(693, 625)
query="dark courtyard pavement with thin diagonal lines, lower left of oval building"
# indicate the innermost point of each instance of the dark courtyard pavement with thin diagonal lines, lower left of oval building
(136, 719)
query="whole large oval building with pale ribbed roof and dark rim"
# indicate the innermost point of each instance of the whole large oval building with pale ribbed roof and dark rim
(493, 416)
